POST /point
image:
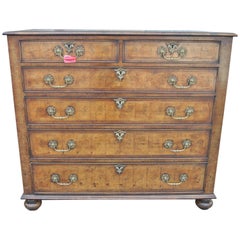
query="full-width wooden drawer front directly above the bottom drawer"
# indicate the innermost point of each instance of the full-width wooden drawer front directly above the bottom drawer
(102, 143)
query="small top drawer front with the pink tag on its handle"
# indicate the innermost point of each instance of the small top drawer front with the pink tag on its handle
(56, 51)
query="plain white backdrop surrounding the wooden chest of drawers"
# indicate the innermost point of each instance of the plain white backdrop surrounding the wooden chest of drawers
(108, 220)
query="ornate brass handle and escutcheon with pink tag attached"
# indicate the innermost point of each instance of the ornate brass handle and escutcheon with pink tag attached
(69, 49)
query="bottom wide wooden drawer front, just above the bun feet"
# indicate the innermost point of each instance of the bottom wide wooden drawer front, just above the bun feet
(76, 178)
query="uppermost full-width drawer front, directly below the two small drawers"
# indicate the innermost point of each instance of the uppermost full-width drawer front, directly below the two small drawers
(155, 79)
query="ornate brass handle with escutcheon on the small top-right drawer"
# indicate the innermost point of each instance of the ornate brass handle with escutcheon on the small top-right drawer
(172, 51)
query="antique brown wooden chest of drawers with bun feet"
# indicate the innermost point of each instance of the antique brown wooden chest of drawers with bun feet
(119, 115)
